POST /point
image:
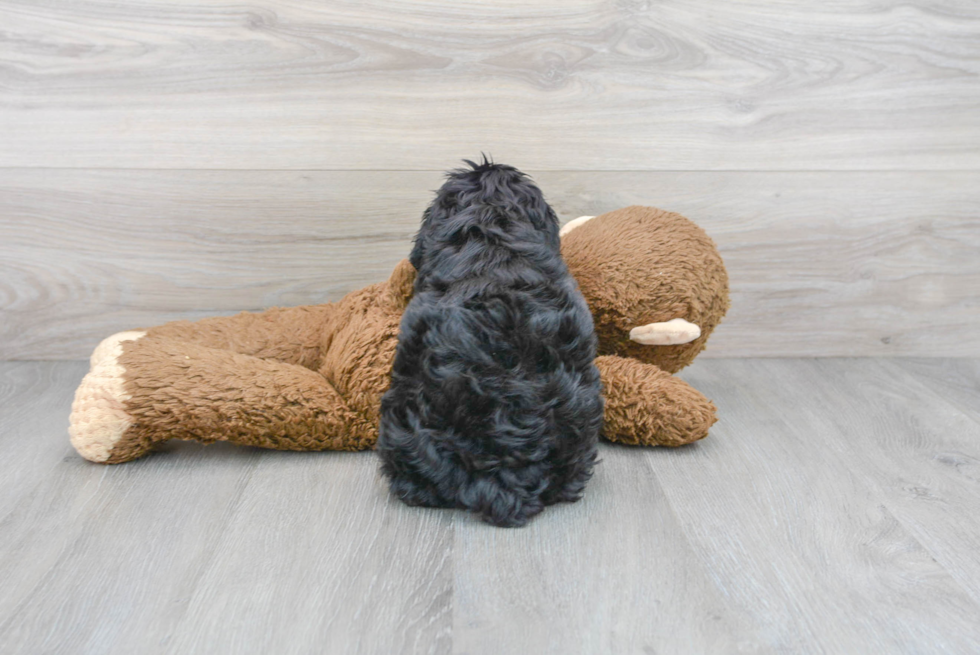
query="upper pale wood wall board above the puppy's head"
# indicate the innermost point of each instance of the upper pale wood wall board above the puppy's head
(570, 85)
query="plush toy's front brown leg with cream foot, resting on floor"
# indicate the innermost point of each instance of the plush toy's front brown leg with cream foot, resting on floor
(144, 389)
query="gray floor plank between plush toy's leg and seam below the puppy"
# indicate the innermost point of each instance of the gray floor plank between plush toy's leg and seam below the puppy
(318, 560)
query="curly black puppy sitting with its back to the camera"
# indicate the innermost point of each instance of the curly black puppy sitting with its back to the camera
(495, 404)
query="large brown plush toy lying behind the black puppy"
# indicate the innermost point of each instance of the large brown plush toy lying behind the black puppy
(312, 377)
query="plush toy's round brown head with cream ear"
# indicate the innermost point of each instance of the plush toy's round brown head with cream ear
(654, 281)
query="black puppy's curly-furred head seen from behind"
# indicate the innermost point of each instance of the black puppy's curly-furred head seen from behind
(484, 204)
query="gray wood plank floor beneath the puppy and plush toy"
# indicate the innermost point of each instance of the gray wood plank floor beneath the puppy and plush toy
(835, 508)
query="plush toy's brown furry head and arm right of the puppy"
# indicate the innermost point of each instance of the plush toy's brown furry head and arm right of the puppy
(640, 265)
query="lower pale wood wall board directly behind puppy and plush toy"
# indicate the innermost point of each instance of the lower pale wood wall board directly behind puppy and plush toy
(824, 264)
